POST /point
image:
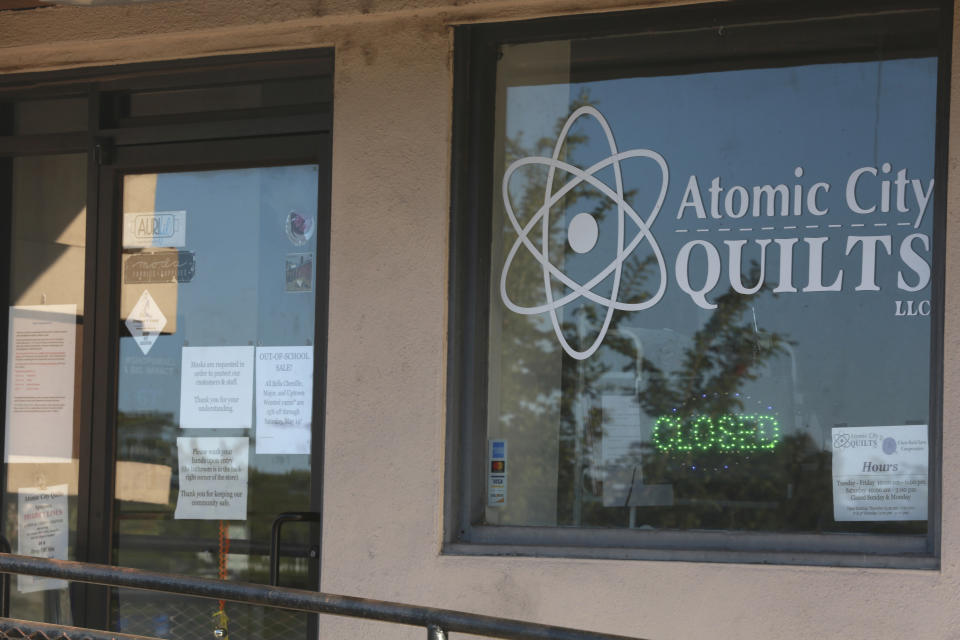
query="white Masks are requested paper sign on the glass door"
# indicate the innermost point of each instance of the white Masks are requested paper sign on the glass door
(216, 388)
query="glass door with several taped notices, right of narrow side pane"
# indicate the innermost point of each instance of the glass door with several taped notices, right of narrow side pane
(217, 382)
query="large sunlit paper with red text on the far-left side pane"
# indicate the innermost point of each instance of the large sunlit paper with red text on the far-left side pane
(41, 344)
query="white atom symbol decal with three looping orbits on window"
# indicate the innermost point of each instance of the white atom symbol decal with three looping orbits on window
(582, 233)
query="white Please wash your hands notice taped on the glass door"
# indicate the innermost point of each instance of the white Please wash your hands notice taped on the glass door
(213, 478)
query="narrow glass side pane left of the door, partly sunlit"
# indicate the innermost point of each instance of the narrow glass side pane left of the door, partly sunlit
(47, 330)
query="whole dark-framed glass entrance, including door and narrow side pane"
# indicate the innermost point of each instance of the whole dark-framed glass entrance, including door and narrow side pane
(166, 288)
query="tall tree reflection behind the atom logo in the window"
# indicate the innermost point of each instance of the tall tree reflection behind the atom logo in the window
(532, 403)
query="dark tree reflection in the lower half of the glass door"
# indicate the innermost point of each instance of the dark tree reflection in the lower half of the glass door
(149, 537)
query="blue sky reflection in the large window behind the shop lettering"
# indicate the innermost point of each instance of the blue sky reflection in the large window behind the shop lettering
(854, 361)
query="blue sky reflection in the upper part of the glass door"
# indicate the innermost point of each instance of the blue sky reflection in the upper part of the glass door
(236, 228)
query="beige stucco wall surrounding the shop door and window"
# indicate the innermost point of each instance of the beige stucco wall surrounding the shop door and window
(385, 417)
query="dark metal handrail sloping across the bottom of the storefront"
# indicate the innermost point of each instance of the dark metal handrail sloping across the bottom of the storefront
(437, 622)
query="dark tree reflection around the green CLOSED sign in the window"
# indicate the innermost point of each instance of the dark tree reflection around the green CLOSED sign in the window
(786, 487)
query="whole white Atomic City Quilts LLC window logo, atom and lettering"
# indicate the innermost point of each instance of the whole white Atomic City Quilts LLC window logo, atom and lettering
(801, 234)
